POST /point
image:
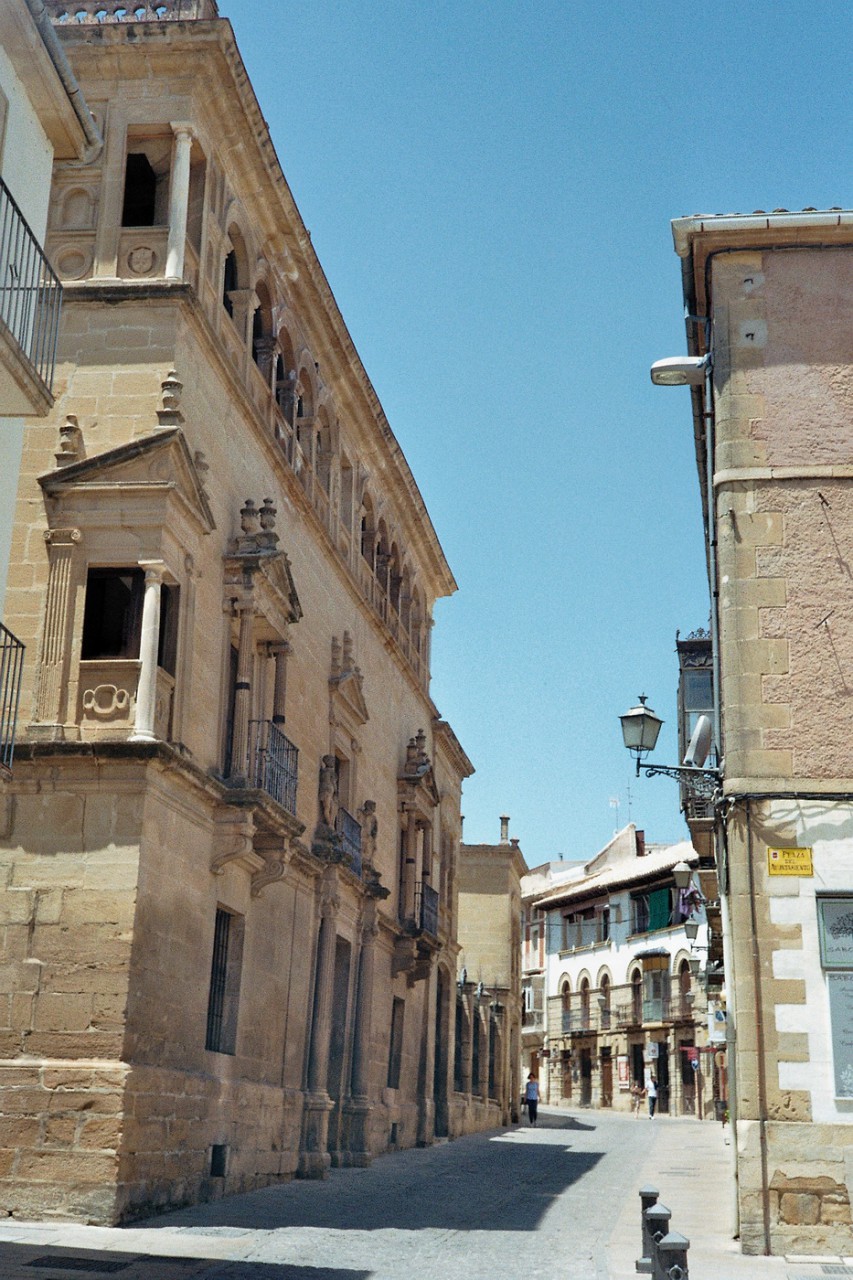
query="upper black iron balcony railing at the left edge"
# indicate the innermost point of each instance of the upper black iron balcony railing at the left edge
(30, 292)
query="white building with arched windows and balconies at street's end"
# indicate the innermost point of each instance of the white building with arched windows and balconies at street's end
(628, 991)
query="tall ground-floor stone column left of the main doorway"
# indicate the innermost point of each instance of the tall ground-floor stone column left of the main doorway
(314, 1156)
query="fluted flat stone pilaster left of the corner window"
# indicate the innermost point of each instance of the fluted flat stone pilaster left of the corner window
(52, 691)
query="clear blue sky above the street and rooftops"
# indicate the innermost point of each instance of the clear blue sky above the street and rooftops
(490, 189)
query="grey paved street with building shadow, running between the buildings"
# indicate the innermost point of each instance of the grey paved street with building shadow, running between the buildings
(555, 1201)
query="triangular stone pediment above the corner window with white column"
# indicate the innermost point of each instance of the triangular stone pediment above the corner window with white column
(153, 470)
